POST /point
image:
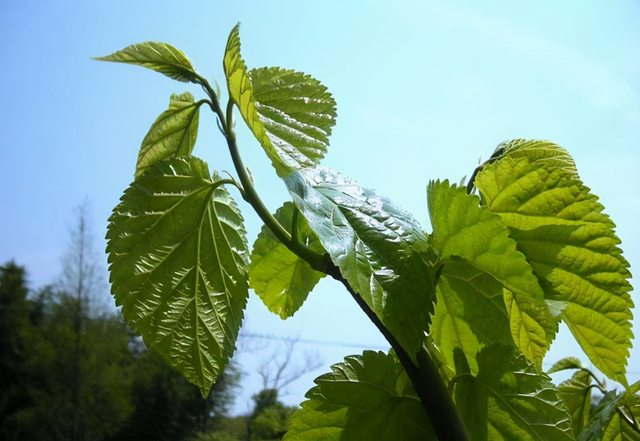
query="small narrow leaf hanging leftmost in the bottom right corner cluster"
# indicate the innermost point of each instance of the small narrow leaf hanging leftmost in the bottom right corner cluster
(575, 393)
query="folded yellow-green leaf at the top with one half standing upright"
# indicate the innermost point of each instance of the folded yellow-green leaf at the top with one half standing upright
(289, 113)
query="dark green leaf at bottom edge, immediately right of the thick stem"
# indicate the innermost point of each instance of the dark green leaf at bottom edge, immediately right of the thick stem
(509, 400)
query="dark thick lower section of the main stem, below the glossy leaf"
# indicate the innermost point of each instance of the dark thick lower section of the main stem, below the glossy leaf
(425, 378)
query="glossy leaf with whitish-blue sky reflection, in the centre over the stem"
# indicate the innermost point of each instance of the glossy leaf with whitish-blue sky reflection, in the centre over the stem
(378, 247)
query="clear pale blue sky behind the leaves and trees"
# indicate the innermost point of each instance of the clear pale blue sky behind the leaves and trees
(424, 89)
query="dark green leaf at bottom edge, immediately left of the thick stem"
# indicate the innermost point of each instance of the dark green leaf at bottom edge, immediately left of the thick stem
(364, 398)
